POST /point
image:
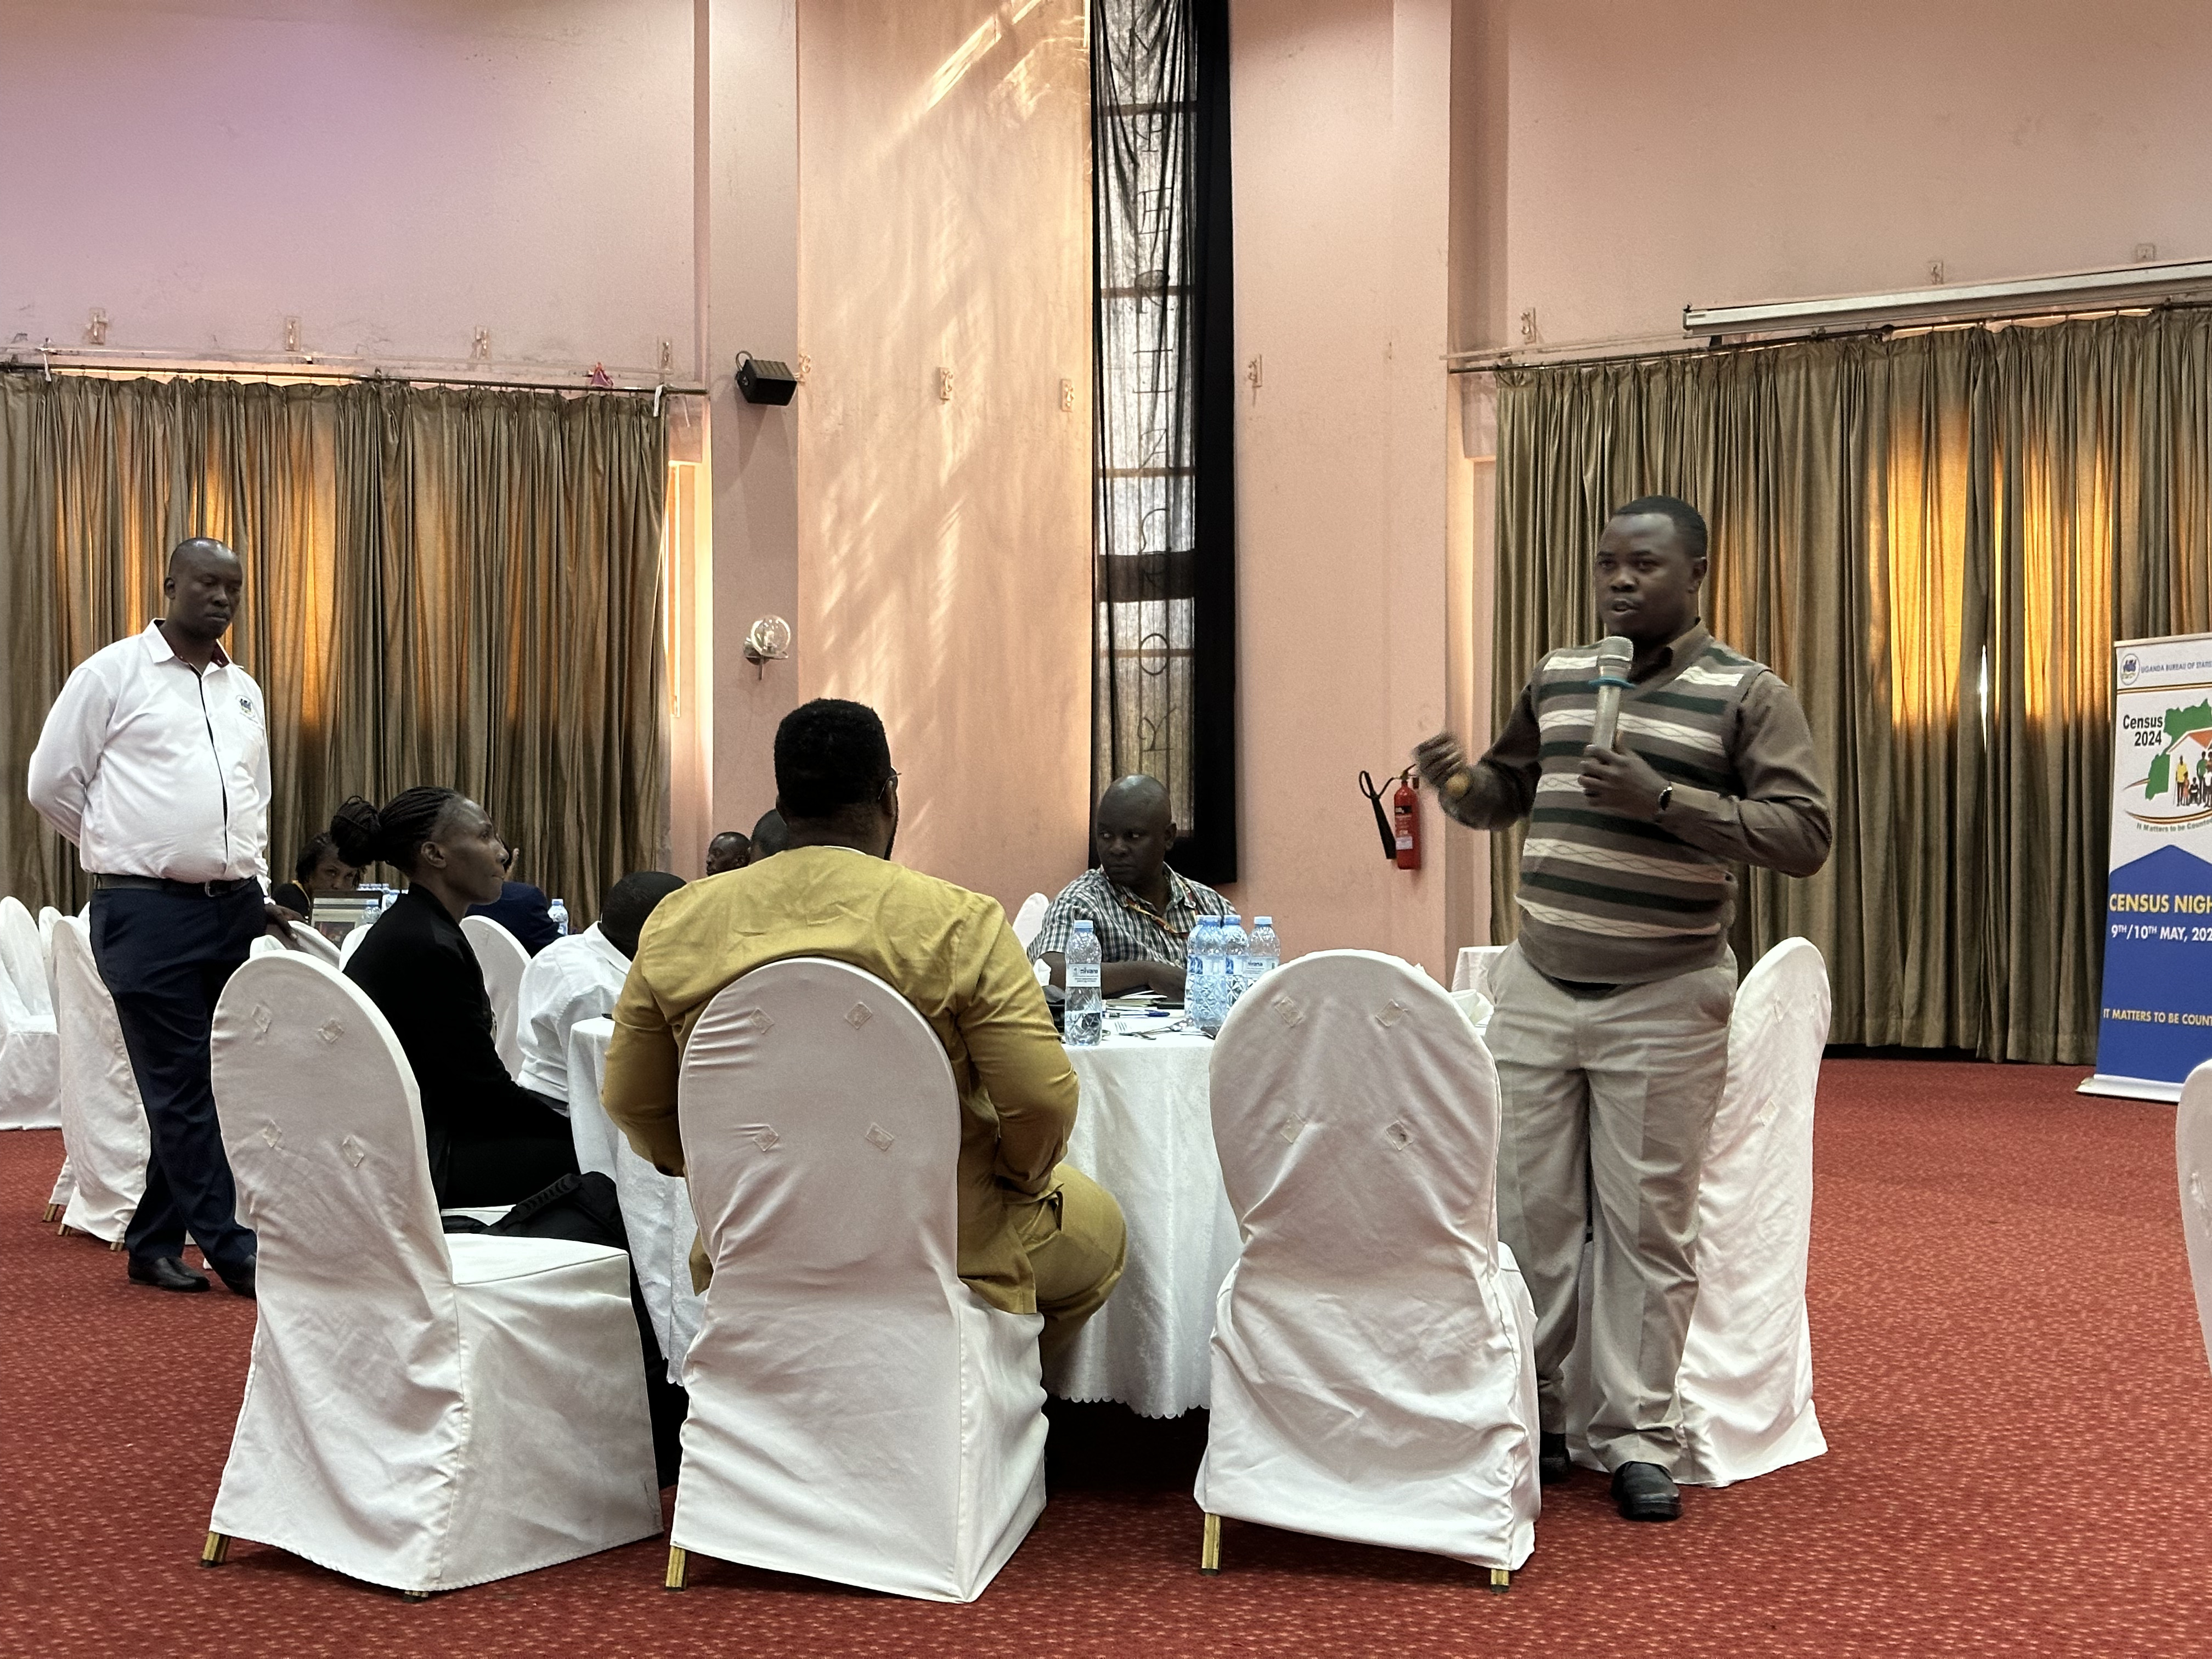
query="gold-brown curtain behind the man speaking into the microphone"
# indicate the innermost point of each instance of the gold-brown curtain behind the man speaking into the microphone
(1937, 541)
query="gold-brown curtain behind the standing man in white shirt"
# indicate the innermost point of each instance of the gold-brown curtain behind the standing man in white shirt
(441, 587)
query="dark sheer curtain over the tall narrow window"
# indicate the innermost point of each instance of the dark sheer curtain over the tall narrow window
(1165, 572)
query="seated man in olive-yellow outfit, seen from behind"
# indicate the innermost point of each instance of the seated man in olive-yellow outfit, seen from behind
(1036, 1235)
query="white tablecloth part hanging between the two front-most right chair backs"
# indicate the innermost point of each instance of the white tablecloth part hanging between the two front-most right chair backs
(1145, 1134)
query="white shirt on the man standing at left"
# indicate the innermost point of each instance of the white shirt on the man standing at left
(154, 769)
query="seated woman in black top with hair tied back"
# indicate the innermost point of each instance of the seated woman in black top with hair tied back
(490, 1140)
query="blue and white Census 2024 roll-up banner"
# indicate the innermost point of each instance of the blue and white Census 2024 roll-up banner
(2156, 1023)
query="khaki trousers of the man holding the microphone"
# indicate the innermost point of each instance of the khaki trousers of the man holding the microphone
(1609, 1096)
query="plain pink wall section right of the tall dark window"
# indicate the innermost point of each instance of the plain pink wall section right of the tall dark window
(1342, 145)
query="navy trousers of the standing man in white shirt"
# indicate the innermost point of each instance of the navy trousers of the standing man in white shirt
(165, 961)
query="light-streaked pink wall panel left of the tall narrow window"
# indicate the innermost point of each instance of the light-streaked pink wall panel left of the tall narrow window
(946, 545)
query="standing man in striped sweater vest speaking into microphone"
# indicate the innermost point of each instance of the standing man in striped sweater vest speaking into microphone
(1611, 1027)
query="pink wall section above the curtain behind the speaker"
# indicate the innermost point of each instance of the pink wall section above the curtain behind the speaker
(1722, 152)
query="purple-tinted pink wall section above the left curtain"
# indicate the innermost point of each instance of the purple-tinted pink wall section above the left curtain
(395, 176)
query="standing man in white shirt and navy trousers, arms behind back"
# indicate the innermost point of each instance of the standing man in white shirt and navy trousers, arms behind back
(156, 762)
